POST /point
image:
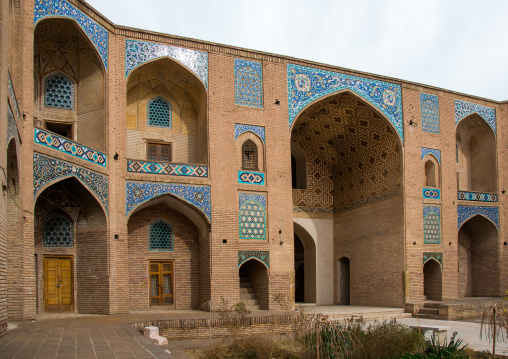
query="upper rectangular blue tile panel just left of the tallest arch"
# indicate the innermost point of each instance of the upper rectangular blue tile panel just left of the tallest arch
(248, 83)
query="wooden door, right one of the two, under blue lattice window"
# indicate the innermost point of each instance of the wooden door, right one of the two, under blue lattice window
(161, 283)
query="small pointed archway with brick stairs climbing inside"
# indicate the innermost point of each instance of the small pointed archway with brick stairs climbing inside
(254, 289)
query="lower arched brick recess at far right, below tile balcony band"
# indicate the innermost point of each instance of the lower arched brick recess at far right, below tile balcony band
(479, 274)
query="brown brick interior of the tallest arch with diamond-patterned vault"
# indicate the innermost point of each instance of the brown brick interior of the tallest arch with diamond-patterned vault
(354, 176)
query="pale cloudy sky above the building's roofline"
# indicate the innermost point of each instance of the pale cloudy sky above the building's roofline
(458, 45)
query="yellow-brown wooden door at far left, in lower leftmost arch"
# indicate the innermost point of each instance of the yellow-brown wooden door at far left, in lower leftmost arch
(58, 285)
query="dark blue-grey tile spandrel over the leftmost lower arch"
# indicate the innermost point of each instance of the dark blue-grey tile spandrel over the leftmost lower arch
(48, 169)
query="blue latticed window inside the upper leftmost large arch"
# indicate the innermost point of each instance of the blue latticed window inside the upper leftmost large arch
(59, 92)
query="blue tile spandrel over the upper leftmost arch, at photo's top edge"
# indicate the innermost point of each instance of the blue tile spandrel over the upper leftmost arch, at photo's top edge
(96, 33)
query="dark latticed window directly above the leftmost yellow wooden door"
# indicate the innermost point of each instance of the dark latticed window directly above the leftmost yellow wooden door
(57, 231)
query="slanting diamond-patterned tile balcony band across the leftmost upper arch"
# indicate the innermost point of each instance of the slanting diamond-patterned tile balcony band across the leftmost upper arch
(67, 146)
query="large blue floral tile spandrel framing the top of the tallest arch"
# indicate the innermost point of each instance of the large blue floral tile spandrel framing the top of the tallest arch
(305, 85)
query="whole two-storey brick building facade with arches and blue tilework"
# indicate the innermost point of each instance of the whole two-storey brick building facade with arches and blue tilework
(142, 170)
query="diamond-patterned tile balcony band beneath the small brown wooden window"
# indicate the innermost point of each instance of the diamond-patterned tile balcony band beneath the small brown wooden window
(171, 169)
